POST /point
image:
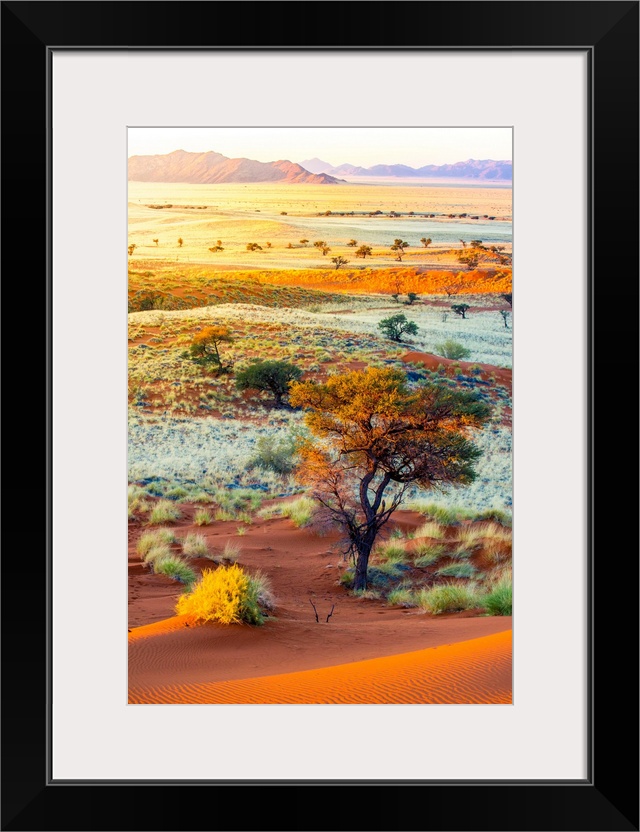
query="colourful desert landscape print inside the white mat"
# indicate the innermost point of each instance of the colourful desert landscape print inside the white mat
(320, 408)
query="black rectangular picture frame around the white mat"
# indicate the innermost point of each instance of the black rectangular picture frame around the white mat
(608, 798)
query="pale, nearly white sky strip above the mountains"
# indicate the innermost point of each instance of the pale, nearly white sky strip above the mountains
(364, 146)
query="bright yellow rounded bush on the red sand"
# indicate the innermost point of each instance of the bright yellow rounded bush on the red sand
(226, 595)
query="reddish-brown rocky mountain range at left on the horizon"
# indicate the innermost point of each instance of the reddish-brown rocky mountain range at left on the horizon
(213, 168)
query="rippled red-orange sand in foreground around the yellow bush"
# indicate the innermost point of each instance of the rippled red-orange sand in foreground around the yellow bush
(366, 652)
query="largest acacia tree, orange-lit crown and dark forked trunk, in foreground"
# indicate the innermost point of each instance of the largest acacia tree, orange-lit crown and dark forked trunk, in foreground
(373, 437)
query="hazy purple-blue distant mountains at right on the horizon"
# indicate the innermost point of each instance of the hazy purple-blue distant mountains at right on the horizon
(471, 169)
